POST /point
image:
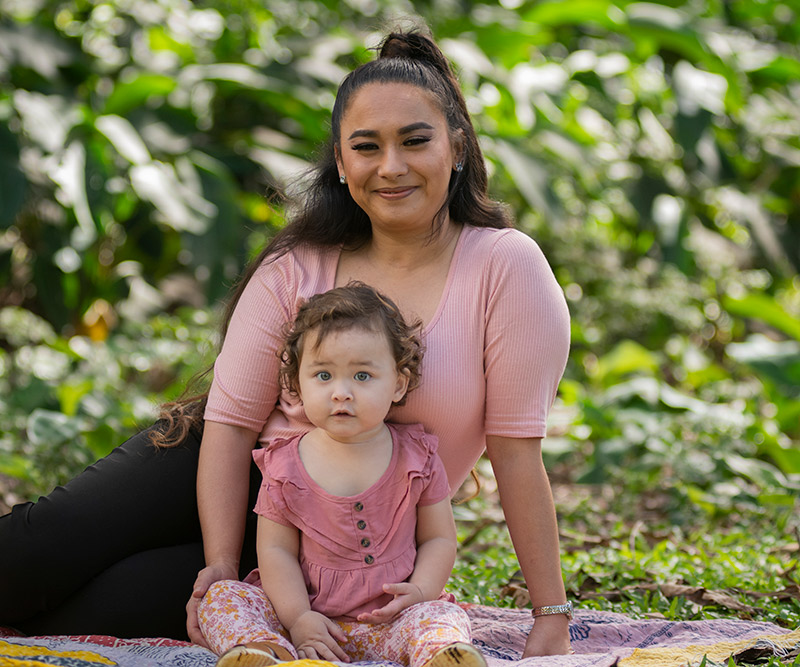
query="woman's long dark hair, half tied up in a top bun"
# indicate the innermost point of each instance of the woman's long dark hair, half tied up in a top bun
(324, 214)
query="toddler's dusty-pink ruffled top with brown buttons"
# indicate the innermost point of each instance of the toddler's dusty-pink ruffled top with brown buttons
(350, 546)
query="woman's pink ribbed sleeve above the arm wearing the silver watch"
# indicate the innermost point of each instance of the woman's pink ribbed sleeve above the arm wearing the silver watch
(526, 339)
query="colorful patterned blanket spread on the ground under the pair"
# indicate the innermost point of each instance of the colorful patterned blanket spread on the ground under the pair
(600, 639)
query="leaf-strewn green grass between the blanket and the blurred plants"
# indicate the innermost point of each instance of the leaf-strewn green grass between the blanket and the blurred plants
(741, 566)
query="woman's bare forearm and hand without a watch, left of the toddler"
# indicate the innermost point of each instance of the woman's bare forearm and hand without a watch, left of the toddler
(223, 474)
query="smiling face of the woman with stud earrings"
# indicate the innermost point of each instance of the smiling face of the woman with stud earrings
(396, 153)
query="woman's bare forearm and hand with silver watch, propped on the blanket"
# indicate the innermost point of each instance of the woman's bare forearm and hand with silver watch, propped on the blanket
(530, 514)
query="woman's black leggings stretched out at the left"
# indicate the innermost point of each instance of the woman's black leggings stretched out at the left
(115, 551)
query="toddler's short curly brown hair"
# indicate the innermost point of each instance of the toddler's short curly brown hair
(355, 305)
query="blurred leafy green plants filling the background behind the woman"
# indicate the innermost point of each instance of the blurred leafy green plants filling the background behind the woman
(651, 148)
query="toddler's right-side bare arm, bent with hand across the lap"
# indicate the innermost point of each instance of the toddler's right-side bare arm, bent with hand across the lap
(436, 554)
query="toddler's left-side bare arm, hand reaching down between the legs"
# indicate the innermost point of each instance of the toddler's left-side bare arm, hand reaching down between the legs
(314, 636)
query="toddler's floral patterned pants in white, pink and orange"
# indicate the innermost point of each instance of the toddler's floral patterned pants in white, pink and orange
(235, 612)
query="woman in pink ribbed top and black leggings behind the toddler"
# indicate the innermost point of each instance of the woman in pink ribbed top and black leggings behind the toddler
(398, 201)
